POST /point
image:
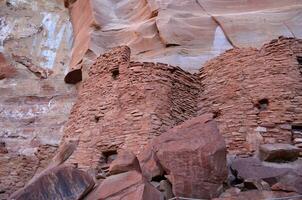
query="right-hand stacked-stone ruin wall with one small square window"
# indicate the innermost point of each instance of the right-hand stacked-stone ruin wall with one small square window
(256, 94)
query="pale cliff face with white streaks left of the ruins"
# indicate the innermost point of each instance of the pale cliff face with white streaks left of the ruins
(33, 110)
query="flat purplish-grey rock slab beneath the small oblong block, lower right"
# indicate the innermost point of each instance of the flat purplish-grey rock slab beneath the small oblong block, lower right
(254, 174)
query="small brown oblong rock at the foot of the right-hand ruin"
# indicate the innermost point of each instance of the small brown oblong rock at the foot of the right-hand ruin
(278, 152)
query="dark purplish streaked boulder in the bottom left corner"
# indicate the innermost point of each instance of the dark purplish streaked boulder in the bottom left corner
(62, 182)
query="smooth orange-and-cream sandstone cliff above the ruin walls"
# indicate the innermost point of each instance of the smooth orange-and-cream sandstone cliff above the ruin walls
(183, 32)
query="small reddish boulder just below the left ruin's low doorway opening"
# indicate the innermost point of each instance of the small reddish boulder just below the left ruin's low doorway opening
(125, 161)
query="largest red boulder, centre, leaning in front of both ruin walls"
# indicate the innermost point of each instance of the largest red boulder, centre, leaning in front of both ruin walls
(193, 155)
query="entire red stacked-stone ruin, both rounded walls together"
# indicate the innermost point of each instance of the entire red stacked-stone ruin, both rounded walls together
(254, 94)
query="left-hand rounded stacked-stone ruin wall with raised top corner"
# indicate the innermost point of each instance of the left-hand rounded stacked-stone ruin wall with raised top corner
(124, 104)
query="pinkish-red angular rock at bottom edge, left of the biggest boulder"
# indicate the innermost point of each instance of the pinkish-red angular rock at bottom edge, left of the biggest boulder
(127, 186)
